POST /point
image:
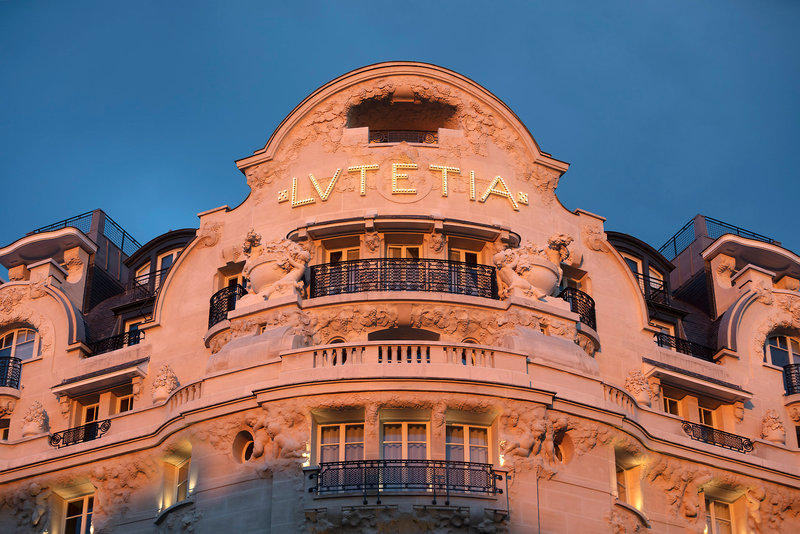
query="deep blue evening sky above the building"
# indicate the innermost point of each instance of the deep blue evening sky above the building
(664, 109)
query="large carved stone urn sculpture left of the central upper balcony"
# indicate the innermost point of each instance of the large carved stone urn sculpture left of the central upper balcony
(274, 269)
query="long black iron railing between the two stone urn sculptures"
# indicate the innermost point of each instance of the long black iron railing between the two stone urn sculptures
(403, 274)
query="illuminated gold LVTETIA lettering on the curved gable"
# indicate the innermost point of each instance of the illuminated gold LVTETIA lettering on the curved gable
(401, 185)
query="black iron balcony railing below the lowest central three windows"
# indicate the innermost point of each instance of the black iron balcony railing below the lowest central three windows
(435, 476)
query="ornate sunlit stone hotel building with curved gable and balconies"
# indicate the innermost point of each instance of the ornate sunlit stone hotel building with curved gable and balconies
(401, 329)
